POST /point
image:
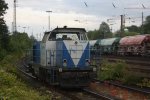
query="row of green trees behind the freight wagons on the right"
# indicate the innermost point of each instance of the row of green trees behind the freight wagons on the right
(104, 30)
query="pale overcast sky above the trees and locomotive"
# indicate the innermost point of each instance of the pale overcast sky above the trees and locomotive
(32, 13)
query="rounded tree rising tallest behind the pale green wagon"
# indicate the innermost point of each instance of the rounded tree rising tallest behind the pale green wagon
(105, 30)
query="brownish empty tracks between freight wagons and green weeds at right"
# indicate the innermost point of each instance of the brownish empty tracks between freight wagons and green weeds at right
(137, 65)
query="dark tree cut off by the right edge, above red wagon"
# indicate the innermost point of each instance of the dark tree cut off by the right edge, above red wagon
(146, 25)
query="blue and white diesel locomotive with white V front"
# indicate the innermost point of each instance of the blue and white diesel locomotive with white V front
(63, 58)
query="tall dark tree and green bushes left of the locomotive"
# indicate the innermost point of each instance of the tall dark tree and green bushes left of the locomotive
(11, 43)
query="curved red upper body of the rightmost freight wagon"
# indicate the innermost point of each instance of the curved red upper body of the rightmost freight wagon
(134, 40)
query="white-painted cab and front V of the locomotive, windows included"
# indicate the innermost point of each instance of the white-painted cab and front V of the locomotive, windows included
(77, 41)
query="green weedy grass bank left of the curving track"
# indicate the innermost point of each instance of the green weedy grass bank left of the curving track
(12, 88)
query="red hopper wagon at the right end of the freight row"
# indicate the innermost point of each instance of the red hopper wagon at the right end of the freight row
(135, 45)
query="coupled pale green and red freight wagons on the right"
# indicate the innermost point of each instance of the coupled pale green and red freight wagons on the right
(129, 45)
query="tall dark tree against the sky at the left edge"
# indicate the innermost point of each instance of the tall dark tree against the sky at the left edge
(4, 37)
